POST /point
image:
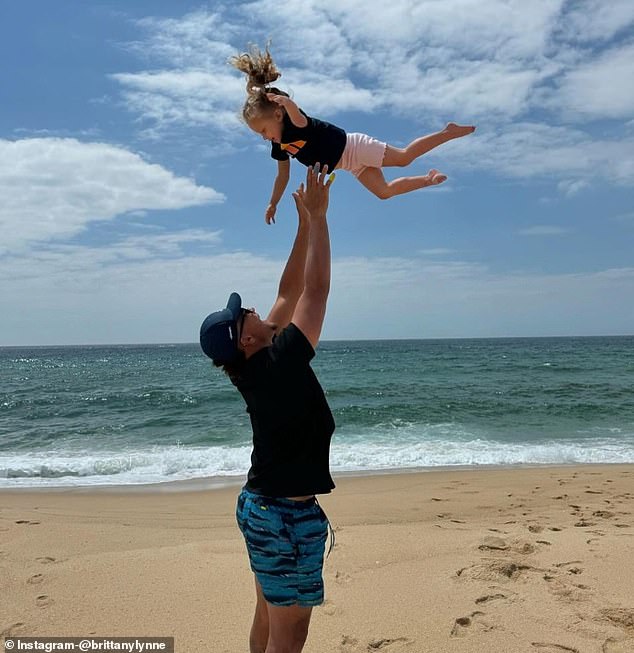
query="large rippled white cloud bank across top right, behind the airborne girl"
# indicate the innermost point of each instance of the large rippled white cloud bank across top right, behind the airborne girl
(494, 62)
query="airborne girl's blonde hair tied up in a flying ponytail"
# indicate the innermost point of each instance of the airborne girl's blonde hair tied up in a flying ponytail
(260, 70)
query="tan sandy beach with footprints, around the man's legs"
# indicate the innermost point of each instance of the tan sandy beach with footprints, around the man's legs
(531, 560)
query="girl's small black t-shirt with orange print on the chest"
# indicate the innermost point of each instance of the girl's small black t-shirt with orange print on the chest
(318, 142)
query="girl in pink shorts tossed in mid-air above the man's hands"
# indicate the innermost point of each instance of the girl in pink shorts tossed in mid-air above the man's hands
(271, 112)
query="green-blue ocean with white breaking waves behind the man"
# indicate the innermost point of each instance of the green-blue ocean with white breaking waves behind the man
(137, 414)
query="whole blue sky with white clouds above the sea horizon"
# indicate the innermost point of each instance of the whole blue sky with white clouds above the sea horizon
(133, 197)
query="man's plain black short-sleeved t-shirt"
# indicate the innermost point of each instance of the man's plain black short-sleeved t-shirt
(291, 421)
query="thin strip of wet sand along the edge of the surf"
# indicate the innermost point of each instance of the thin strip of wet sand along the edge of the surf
(212, 483)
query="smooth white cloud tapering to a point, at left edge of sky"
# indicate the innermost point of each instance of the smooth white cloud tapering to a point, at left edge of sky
(52, 188)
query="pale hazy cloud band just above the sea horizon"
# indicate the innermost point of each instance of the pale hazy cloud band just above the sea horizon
(89, 295)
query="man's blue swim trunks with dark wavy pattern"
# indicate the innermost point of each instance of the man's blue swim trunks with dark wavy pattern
(285, 540)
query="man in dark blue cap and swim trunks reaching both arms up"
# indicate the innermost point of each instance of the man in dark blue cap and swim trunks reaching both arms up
(268, 360)
